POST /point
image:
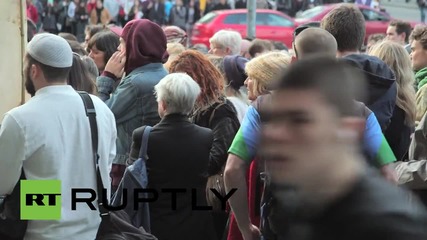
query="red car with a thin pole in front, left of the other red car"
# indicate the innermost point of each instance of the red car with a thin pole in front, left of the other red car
(270, 25)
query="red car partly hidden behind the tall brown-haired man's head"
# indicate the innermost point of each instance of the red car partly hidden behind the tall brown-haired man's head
(376, 21)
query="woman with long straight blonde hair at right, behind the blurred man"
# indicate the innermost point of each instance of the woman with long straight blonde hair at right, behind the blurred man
(403, 120)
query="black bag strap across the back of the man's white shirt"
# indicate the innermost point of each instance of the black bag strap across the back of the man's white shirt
(91, 114)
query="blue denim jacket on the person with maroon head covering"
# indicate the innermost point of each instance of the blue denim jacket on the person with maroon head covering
(133, 103)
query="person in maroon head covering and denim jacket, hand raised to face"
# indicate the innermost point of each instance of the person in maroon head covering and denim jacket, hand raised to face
(141, 55)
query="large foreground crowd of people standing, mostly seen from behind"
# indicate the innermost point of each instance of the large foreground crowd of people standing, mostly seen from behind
(321, 140)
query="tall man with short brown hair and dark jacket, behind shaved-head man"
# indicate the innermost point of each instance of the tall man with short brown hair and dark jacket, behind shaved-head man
(350, 35)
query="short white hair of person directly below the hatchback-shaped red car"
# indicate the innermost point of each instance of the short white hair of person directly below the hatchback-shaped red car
(228, 39)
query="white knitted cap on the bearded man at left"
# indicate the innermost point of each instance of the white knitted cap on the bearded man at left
(50, 50)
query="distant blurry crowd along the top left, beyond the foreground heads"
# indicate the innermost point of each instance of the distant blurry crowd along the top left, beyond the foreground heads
(72, 16)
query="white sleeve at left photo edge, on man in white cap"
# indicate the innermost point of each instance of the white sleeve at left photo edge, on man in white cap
(12, 153)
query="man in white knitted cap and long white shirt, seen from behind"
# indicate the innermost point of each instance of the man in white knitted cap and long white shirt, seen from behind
(49, 138)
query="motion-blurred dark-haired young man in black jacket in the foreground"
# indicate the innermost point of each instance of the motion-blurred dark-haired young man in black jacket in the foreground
(310, 141)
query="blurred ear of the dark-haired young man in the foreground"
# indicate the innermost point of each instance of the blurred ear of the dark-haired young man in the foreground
(352, 129)
